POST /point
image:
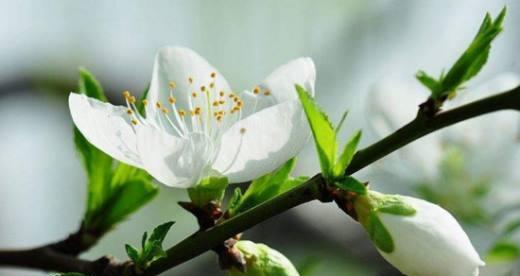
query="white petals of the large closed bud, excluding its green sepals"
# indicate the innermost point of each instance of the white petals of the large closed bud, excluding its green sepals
(431, 242)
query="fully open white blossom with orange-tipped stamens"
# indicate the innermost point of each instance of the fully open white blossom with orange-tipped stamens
(195, 126)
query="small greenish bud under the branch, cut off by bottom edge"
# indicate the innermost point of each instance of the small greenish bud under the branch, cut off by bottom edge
(261, 260)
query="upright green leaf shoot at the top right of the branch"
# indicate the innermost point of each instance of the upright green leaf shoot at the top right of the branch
(469, 63)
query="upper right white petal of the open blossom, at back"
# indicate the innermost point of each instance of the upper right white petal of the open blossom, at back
(280, 84)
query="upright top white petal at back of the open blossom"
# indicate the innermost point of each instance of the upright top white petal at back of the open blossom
(178, 64)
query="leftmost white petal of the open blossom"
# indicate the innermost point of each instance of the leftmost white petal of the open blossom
(105, 126)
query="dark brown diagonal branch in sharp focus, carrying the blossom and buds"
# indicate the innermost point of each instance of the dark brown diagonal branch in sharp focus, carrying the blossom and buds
(313, 189)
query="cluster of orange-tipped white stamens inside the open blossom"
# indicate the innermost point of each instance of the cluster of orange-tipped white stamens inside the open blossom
(218, 104)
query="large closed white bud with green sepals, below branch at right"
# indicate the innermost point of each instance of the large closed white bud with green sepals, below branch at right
(417, 237)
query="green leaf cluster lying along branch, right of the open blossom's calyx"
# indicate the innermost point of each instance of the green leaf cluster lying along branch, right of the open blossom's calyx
(266, 187)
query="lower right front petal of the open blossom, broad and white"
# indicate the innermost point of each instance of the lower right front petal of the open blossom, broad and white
(262, 142)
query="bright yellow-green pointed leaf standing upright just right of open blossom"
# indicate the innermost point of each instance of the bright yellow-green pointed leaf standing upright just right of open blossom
(322, 130)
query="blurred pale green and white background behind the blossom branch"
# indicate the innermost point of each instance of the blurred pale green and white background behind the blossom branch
(358, 47)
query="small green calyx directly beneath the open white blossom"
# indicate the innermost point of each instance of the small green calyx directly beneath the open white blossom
(209, 189)
